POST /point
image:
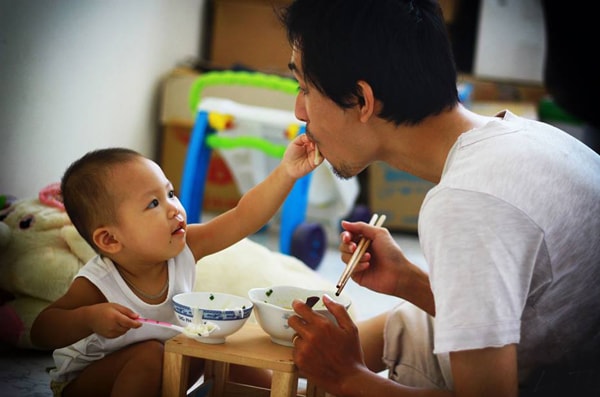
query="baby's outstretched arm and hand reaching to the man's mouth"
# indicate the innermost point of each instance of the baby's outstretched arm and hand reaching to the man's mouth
(258, 205)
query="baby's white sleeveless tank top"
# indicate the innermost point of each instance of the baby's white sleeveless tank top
(101, 271)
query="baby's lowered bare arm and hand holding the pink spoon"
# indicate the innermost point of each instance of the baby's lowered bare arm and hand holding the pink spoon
(82, 311)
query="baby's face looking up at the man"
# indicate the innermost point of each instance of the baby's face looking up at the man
(151, 222)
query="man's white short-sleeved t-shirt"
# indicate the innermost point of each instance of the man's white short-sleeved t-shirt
(512, 237)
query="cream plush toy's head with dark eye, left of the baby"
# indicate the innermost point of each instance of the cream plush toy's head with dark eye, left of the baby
(40, 253)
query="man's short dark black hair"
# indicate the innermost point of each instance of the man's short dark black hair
(400, 47)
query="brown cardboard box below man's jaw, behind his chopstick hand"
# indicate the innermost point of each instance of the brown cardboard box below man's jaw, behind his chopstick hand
(396, 194)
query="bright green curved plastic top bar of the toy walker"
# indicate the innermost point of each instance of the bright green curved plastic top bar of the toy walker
(254, 79)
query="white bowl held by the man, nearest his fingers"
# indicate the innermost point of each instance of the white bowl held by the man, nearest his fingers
(274, 307)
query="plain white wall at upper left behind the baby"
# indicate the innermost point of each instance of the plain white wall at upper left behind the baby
(78, 75)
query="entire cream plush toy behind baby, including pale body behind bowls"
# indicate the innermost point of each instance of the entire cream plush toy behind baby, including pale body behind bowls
(41, 252)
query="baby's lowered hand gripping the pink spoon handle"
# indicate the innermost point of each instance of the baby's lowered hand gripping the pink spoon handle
(112, 320)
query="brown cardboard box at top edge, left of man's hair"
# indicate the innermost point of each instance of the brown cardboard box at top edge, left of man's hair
(248, 32)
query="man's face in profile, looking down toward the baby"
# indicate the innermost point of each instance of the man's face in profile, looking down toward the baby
(331, 127)
